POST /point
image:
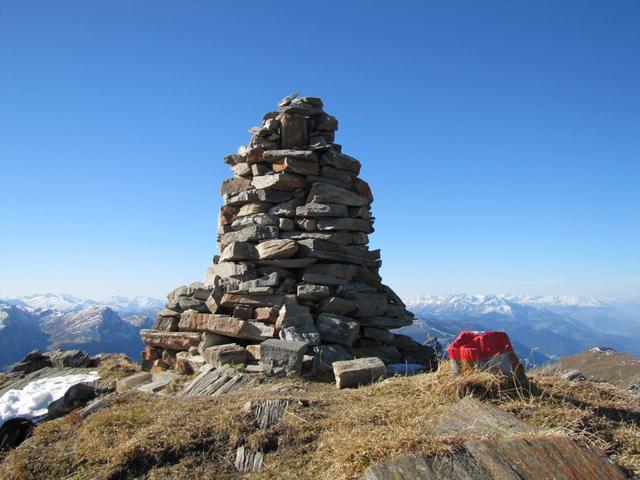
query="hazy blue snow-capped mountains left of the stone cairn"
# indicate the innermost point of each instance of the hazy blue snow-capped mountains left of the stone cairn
(46, 321)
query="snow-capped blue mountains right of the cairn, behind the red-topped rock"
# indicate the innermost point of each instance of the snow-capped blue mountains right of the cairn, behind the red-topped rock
(541, 328)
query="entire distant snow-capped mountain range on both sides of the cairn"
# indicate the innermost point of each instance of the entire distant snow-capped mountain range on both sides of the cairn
(541, 328)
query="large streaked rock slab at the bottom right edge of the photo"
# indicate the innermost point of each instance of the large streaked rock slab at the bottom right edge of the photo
(533, 458)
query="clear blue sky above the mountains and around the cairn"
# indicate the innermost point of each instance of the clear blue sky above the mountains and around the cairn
(501, 139)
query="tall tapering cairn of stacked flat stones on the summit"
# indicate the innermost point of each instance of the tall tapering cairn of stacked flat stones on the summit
(295, 284)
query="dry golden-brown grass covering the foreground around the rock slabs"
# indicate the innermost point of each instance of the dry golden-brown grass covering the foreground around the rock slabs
(325, 434)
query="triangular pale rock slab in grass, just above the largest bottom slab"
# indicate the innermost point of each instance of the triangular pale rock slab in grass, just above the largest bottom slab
(473, 417)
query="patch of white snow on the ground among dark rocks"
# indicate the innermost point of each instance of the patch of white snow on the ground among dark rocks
(33, 399)
